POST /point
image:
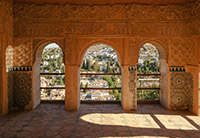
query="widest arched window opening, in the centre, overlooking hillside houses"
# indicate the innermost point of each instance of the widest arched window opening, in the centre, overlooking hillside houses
(100, 74)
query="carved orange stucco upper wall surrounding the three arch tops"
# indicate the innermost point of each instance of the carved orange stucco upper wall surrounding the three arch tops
(172, 26)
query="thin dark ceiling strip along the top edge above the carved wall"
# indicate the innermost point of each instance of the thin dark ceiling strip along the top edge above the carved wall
(104, 1)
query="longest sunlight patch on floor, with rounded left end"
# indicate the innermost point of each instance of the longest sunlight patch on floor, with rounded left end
(123, 119)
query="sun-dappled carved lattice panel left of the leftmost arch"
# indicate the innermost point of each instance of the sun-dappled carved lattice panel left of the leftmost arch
(22, 52)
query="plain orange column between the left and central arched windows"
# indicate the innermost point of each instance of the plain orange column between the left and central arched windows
(71, 87)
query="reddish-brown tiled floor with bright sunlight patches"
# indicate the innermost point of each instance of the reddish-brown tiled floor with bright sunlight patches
(100, 120)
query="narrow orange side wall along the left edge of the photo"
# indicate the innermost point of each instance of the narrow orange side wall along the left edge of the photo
(6, 39)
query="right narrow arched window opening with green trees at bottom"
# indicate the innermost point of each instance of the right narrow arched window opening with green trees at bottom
(148, 81)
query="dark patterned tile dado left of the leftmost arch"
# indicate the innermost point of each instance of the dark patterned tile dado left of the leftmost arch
(19, 86)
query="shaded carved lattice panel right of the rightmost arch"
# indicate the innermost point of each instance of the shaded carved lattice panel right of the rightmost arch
(182, 51)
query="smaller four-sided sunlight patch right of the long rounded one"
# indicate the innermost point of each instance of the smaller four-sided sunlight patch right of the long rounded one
(175, 122)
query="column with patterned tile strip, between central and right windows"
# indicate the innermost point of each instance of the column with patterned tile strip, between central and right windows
(129, 87)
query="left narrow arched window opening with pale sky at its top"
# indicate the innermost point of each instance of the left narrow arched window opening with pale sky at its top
(52, 73)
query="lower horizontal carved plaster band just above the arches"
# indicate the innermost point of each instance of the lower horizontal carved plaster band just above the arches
(63, 29)
